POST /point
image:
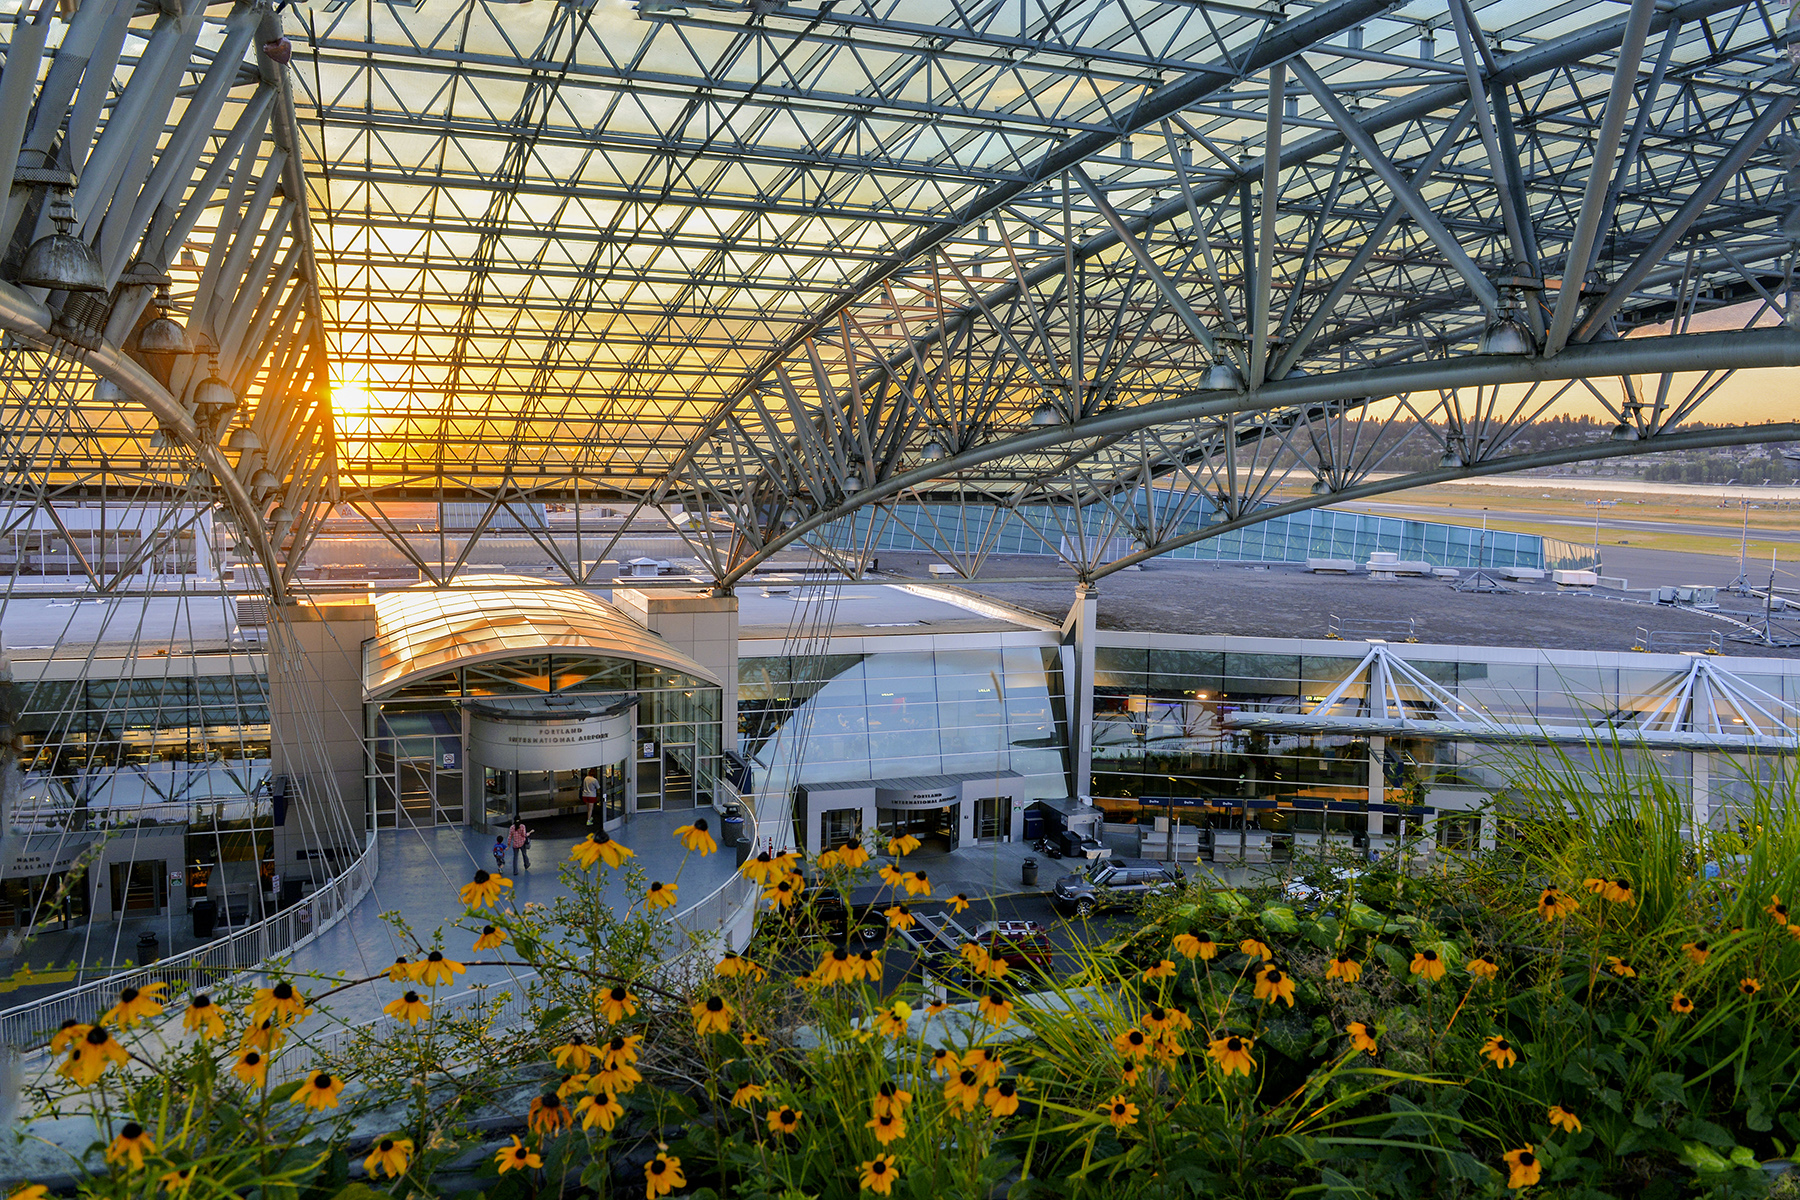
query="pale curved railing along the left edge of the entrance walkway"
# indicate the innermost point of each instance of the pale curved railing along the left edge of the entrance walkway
(30, 1026)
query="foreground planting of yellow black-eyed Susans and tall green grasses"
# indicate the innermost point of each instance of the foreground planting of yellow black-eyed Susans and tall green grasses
(1606, 1007)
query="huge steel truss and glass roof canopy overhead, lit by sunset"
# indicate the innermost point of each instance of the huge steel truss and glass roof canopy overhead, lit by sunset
(1120, 262)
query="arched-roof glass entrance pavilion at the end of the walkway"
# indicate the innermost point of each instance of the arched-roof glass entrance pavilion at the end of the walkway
(483, 706)
